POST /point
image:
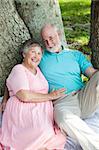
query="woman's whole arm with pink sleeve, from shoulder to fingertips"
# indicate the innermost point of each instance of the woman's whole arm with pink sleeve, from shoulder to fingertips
(18, 81)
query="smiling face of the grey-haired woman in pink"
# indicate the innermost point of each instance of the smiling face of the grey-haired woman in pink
(33, 56)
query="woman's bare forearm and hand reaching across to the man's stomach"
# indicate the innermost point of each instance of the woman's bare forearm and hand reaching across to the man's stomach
(30, 96)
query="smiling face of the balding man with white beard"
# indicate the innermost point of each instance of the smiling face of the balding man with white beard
(51, 39)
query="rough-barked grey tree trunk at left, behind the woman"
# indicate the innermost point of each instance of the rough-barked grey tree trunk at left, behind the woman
(12, 33)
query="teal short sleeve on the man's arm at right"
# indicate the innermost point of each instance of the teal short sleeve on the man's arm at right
(82, 60)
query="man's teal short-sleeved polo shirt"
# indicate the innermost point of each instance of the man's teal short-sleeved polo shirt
(64, 69)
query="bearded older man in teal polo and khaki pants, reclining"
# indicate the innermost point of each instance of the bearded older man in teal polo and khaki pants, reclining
(63, 68)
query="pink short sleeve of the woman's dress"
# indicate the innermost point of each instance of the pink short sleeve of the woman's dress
(17, 79)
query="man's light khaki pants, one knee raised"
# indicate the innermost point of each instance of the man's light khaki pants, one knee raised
(70, 111)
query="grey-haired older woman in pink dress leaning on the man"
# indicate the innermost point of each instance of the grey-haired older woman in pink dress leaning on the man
(28, 117)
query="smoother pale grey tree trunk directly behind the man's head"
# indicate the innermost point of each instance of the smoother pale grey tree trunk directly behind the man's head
(36, 13)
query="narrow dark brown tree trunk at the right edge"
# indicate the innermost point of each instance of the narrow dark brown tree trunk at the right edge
(95, 33)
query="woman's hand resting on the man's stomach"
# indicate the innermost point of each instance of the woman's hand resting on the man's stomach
(57, 94)
